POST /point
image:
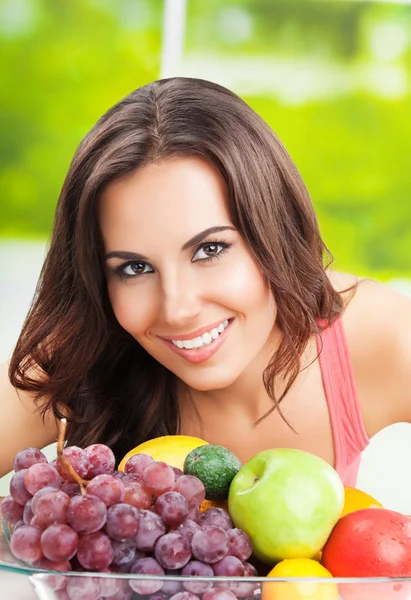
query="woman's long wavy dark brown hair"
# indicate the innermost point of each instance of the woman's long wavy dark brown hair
(72, 353)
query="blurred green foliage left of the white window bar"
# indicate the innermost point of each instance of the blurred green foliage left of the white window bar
(64, 64)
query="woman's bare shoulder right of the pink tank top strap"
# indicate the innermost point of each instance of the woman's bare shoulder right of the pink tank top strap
(377, 321)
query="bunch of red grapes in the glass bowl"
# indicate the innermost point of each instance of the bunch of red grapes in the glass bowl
(145, 520)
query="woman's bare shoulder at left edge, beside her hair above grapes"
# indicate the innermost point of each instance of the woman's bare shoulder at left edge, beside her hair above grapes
(21, 424)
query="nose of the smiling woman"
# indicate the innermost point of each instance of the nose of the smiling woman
(181, 302)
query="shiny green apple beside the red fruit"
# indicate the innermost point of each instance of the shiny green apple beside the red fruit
(288, 501)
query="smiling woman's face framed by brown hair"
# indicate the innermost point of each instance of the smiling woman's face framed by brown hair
(180, 278)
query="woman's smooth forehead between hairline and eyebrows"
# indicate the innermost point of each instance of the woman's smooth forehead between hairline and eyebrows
(181, 196)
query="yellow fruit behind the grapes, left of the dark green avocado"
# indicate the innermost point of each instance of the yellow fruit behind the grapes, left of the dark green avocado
(171, 449)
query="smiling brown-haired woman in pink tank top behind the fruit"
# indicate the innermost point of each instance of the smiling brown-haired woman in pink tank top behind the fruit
(185, 291)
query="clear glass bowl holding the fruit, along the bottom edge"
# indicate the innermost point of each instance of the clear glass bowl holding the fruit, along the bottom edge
(19, 581)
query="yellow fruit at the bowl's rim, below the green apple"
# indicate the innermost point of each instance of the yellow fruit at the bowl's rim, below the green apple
(299, 590)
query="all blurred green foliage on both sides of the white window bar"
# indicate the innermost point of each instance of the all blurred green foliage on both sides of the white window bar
(65, 63)
